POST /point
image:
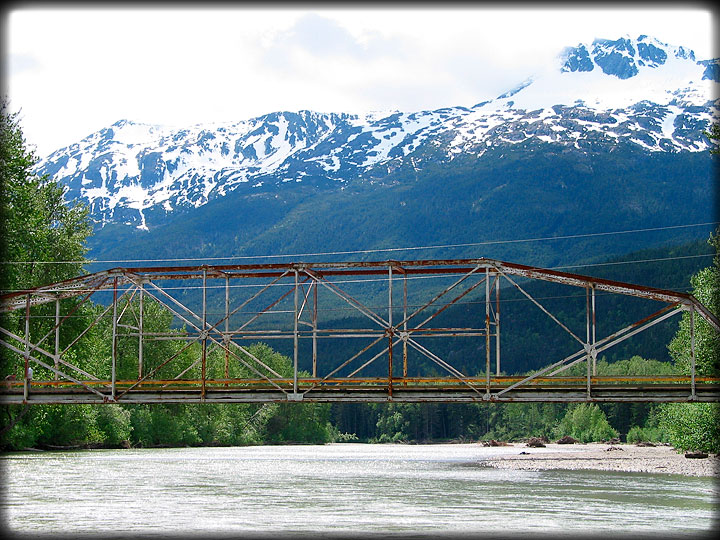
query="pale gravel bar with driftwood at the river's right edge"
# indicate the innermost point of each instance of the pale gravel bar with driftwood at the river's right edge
(606, 457)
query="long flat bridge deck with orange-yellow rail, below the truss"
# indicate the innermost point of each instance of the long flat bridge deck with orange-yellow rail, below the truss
(565, 389)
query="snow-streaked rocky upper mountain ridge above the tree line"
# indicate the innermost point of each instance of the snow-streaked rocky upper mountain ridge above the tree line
(599, 95)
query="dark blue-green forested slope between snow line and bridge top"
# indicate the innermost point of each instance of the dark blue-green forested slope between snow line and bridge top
(492, 204)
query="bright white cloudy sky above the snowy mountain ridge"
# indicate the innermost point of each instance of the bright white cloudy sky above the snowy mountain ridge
(73, 70)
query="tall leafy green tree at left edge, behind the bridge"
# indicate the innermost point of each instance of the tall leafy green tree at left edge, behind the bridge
(43, 241)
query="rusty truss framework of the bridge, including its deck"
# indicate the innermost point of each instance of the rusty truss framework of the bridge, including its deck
(468, 274)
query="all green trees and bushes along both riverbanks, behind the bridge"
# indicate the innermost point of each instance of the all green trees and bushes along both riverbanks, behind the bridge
(41, 236)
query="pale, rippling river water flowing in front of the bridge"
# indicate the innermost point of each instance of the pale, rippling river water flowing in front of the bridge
(353, 488)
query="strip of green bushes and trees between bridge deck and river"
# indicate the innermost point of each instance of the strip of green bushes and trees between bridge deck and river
(65, 427)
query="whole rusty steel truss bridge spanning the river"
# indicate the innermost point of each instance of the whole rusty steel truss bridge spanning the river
(286, 302)
